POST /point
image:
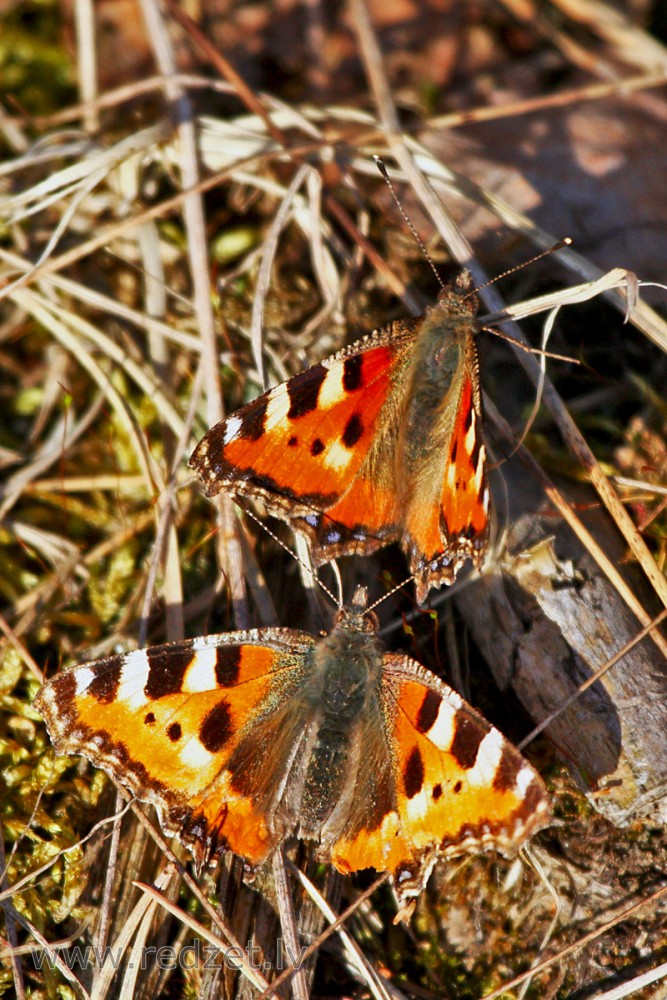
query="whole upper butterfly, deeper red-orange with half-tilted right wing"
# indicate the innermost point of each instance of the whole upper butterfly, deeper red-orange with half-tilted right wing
(381, 442)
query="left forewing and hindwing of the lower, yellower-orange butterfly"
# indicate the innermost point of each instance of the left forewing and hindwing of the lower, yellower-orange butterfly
(174, 724)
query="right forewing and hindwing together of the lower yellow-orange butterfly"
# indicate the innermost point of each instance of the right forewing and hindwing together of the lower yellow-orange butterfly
(457, 784)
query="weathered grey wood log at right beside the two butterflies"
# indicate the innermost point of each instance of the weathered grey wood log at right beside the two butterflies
(546, 618)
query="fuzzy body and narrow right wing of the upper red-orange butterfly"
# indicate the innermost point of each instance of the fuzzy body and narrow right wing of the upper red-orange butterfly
(445, 502)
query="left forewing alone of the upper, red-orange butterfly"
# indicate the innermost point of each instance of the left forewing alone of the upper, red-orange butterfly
(301, 444)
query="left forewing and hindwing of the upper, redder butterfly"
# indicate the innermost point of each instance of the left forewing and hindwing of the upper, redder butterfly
(320, 449)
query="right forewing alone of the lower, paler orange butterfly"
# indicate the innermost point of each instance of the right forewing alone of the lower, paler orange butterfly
(475, 787)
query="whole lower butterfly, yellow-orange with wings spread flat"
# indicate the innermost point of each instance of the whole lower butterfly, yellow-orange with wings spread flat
(246, 739)
